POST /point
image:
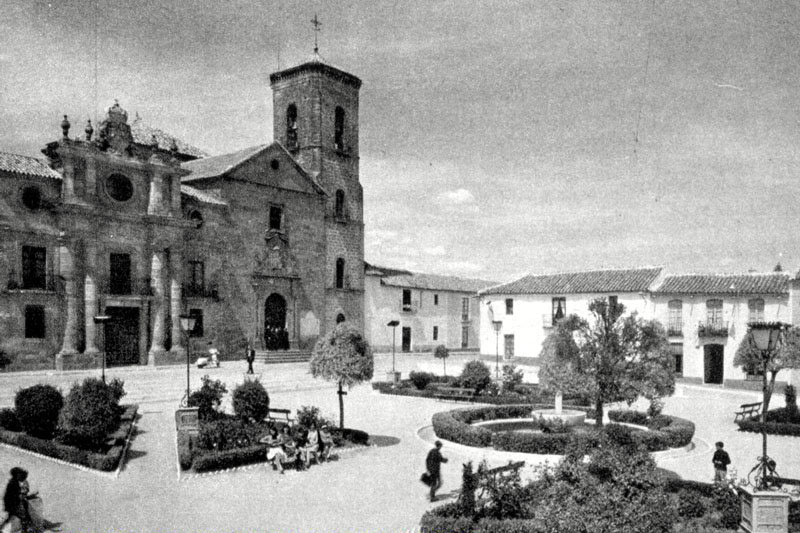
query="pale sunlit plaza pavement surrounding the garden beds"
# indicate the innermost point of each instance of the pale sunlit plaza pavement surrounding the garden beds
(371, 490)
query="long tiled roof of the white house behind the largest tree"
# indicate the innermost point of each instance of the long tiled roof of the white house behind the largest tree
(596, 281)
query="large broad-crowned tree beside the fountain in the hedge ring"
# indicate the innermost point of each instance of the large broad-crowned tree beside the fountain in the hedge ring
(611, 357)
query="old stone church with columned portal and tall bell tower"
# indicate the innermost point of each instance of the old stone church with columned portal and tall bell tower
(263, 246)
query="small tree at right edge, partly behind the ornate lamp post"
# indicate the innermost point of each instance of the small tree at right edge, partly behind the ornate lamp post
(768, 364)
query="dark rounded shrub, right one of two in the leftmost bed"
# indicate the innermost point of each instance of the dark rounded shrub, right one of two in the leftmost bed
(91, 412)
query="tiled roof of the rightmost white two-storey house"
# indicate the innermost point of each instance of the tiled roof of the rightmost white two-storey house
(733, 284)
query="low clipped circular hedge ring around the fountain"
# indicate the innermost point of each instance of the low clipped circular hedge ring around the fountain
(665, 431)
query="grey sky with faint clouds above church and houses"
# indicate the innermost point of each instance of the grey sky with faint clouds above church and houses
(497, 138)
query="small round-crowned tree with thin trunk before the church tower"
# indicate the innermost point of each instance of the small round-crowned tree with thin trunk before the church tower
(345, 357)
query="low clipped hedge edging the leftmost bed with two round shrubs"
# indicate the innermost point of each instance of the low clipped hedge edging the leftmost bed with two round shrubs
(107, 461)
